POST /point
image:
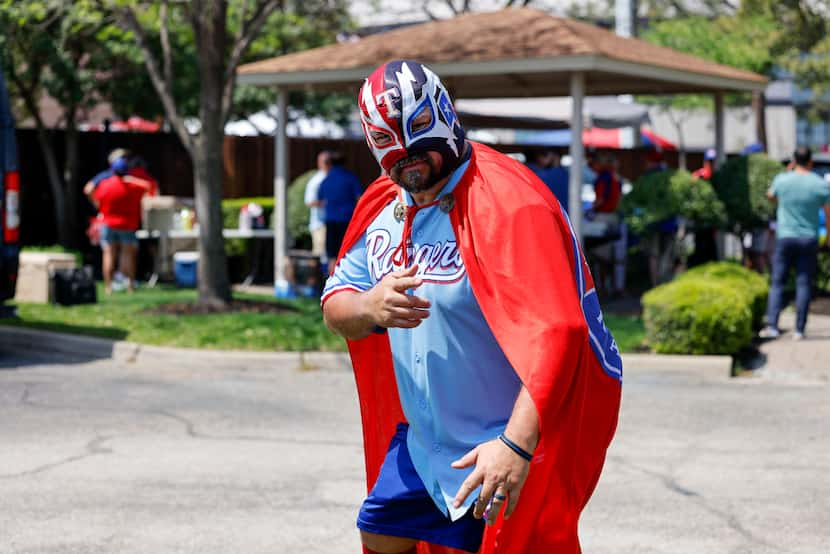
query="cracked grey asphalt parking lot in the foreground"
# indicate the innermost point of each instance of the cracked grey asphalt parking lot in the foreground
(99, 456)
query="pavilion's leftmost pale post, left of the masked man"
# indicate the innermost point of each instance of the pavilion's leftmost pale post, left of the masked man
(282, 288)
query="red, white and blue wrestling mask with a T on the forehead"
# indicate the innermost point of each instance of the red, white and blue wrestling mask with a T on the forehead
(406, 110)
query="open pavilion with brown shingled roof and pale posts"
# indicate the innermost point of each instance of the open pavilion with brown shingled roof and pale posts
(511, 53)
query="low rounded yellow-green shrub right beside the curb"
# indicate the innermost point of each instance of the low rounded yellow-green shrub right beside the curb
(697, 315)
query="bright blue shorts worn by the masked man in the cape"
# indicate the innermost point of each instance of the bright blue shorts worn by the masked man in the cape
(400, 506)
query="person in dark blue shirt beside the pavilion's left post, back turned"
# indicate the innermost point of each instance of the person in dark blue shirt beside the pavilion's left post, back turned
(338, 196)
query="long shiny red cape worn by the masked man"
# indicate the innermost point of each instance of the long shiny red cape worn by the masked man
(518, 251)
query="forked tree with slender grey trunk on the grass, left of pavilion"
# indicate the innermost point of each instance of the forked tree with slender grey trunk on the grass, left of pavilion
(223, 32)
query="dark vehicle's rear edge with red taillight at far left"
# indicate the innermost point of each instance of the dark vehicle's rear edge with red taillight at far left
(9, 198)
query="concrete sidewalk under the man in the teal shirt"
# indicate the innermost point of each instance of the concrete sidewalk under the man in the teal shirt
(805, 361)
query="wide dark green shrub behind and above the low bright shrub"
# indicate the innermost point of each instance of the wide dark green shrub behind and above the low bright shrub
(658, 196)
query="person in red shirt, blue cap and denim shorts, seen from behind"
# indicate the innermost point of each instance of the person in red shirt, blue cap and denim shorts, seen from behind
(118, 199)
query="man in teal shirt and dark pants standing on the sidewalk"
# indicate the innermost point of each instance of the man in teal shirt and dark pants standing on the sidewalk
(800, 194)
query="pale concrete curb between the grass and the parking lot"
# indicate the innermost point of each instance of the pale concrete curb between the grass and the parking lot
(77, 346)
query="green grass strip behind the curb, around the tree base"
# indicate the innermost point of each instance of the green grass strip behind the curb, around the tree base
(125, 317)
